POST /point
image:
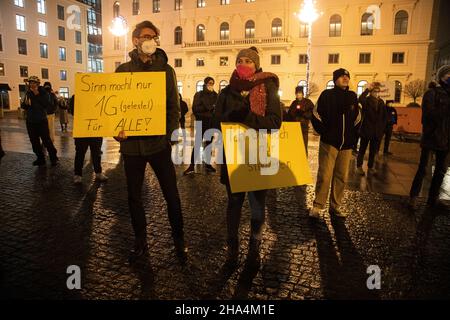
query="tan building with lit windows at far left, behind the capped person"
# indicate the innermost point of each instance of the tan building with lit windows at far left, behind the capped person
(46, 38)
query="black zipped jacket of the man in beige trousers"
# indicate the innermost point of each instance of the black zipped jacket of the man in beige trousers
(336, 117)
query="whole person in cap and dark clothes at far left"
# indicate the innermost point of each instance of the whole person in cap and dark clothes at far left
(36, 102)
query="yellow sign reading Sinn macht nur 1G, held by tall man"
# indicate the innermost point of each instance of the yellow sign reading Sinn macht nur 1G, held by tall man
(107, 103)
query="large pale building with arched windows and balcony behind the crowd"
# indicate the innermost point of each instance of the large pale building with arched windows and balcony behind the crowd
(389, 41)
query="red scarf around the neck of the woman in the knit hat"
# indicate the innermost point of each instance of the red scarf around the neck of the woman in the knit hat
(256, 87)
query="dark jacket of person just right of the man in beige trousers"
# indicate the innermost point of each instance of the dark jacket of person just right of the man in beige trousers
(374, 116)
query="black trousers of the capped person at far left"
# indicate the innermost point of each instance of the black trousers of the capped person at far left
(37, 132)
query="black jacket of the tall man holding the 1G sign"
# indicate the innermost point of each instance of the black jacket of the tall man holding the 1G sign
(147, 145)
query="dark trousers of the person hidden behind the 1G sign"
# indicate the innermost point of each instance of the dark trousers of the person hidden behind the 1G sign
(81, 146)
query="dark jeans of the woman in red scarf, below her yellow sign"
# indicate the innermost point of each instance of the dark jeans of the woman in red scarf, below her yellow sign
(257, 200)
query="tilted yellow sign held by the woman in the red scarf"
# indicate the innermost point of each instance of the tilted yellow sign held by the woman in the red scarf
(256, 161)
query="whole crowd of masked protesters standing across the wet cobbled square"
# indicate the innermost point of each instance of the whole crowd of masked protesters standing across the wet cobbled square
(251, 98)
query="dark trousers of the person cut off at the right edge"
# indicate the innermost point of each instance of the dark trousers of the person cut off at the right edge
(438, 175)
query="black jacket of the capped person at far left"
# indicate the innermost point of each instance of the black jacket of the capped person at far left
(36, 106)
